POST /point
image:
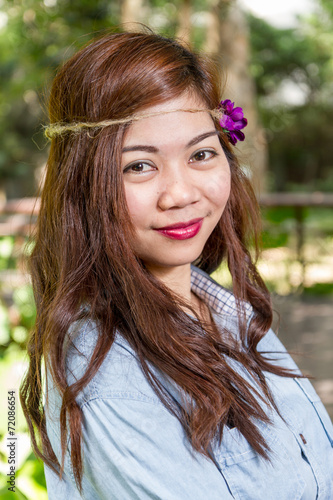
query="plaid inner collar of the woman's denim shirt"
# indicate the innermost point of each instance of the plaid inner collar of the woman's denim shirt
(214, 295)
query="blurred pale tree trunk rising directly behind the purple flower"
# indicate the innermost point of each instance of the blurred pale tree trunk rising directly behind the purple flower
(228, 42)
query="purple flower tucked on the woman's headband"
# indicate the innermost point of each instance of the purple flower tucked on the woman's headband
(232, 121)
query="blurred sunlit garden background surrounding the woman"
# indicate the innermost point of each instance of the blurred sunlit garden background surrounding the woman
(281, 76)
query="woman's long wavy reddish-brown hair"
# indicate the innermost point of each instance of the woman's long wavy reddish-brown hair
(83, 256)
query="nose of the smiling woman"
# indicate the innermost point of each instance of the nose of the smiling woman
(178, 190)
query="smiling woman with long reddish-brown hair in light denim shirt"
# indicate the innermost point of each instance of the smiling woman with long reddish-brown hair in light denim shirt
(160, 383)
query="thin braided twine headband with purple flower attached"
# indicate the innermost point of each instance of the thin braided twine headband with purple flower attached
(231, 120)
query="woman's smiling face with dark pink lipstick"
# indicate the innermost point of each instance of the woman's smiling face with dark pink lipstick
(177, 183)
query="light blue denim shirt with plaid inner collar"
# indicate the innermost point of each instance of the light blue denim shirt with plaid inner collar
(134, 448)
